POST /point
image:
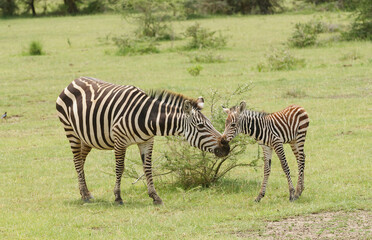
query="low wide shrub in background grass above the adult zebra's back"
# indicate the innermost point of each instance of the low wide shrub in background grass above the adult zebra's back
(130, 46)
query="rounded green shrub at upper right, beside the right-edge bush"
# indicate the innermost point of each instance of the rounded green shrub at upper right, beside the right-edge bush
(305, 34)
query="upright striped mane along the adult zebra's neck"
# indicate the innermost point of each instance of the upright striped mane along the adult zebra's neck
(169, 96)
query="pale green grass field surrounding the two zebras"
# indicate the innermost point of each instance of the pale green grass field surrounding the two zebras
(39, 197)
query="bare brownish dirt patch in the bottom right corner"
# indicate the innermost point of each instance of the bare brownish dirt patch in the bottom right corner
(327, 225)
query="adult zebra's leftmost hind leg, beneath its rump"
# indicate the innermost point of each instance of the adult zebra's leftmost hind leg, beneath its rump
(76, 147)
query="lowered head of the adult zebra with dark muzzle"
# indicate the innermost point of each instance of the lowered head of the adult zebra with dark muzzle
(199, 131)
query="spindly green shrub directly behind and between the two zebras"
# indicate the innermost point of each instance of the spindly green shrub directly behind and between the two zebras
(191, 167)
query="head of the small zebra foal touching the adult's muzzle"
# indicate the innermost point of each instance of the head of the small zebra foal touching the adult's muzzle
(232, 124)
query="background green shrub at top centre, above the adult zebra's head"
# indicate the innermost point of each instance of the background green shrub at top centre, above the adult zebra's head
(203, 38)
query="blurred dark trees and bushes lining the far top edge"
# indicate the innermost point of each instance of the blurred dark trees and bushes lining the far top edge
(155, 13)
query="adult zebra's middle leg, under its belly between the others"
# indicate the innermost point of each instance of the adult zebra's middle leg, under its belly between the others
(120, 150)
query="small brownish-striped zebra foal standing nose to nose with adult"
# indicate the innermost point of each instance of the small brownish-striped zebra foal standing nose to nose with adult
(271, 131)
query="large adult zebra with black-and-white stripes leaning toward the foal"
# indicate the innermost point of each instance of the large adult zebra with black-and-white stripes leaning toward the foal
(97, 114)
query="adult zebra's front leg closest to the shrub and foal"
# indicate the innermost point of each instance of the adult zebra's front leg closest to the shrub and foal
(146, 154)
